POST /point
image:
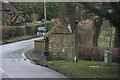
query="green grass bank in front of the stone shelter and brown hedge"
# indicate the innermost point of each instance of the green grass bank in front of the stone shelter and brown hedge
(84, 69)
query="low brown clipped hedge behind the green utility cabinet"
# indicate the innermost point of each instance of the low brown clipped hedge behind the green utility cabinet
(97, 54)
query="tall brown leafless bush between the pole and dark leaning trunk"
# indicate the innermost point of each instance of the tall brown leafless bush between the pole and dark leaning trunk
(85, 31)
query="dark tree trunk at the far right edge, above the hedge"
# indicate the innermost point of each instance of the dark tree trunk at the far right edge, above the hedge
(117, 37)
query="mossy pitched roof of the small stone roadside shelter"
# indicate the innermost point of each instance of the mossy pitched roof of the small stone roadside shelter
(58, 29)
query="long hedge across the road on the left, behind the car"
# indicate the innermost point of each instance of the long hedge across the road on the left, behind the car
(9, 32)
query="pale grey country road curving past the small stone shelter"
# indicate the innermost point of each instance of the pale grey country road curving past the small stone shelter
(15, 66)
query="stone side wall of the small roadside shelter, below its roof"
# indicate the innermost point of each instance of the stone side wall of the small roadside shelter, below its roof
(60, 46)
